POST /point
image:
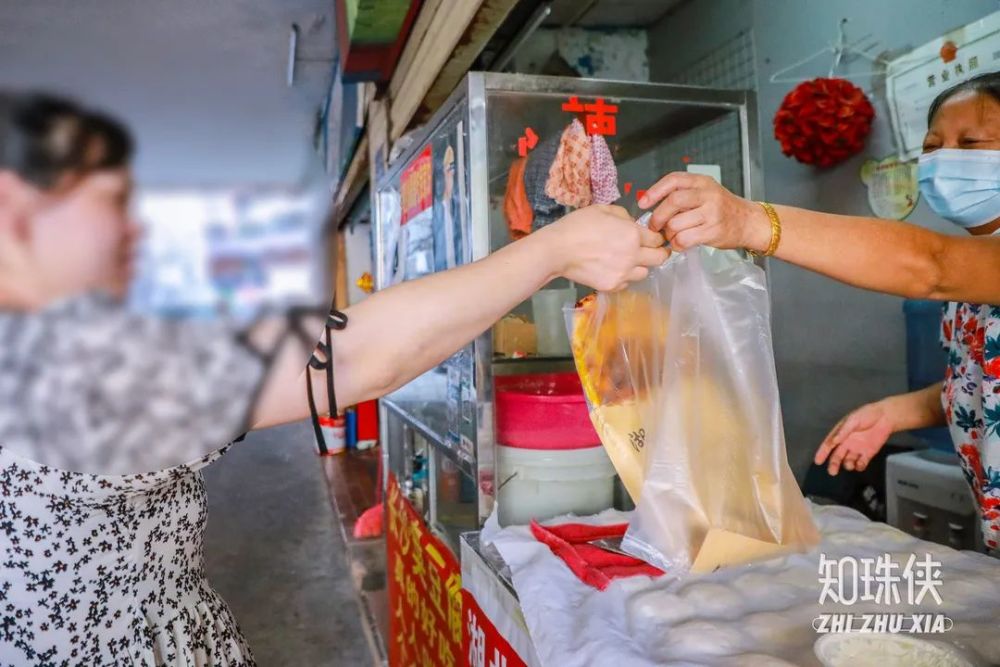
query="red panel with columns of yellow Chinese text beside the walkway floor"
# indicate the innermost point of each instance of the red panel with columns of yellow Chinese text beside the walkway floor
(425, 590)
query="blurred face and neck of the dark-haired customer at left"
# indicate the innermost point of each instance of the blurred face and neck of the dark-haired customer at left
(73, 239)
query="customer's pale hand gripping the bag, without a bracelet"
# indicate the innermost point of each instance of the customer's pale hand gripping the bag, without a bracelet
(603, 247)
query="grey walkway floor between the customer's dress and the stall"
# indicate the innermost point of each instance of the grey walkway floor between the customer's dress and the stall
(275, 553)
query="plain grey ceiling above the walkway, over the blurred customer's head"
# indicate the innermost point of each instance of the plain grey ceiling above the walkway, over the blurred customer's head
(202, 83)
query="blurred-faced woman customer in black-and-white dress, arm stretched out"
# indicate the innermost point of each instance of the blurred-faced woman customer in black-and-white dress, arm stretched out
(106, 418)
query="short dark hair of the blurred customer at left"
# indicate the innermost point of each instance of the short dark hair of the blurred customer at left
(44, 138)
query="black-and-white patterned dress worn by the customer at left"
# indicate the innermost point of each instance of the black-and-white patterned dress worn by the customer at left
(101, 560)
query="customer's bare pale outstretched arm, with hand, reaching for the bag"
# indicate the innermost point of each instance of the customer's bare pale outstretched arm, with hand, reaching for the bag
(401, 332)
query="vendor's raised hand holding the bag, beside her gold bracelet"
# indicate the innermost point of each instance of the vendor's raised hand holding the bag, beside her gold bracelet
(694, 210)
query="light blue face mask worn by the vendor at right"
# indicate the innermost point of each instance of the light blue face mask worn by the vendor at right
(962, 185)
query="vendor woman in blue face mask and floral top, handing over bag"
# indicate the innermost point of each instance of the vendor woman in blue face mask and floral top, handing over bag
(959, 176)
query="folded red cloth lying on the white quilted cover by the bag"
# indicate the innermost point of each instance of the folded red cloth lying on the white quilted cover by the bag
(592, 565)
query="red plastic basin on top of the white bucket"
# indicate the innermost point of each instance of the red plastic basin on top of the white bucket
(543, 411)
